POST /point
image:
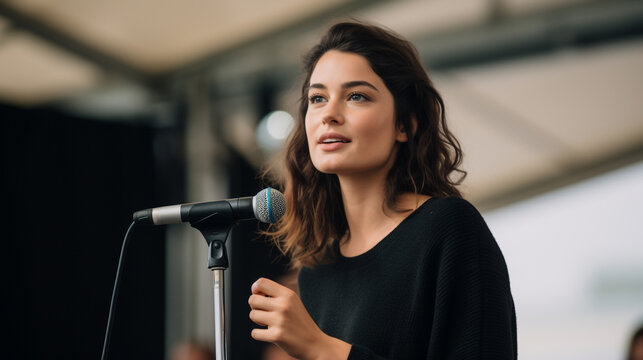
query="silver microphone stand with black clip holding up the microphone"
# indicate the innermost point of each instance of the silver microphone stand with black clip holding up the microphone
(216, 228)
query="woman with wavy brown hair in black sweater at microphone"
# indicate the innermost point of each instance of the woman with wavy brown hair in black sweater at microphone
(394, 264)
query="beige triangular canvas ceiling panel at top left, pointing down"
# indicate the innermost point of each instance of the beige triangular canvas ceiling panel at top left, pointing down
(157, 36)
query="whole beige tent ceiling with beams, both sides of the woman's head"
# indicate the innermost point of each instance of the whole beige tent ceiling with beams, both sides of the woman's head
(525, 123)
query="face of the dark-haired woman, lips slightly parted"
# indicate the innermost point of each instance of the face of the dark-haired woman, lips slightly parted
(350, 122)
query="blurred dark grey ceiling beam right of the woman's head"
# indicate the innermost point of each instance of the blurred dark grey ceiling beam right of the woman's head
(506, 37)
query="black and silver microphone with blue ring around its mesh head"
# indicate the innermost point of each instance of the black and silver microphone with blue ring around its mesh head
(268, 206)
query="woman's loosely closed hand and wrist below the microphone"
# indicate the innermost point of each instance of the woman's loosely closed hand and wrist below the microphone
(289, 325)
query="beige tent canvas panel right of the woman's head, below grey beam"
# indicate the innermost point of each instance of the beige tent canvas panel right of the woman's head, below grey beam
(543, 118)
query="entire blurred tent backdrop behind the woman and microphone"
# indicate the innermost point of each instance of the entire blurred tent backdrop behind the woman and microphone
(108, 107)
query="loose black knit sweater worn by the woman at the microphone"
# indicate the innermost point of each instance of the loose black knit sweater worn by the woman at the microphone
(435, 288)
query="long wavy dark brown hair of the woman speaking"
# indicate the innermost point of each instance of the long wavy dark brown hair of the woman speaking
(315, 218)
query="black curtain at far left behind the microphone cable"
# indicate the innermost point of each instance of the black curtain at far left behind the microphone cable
(72, 185)
